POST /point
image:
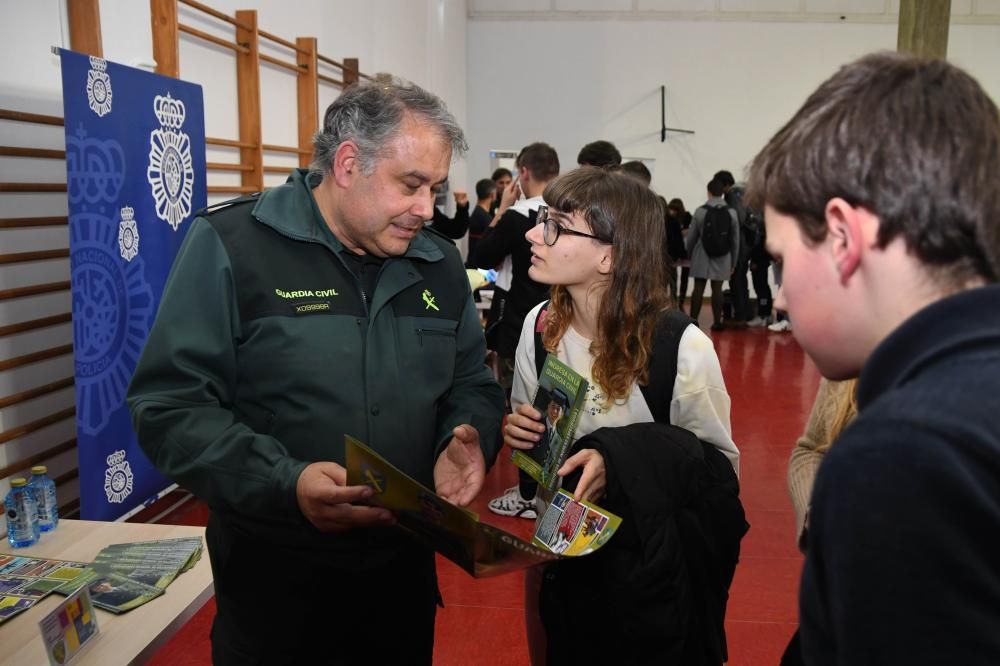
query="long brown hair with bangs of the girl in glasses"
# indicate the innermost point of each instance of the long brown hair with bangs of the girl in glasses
(625, 212)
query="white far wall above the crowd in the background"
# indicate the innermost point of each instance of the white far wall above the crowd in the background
(569, 81)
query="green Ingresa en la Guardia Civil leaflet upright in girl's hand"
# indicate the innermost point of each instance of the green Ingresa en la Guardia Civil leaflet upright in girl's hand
(559, 397)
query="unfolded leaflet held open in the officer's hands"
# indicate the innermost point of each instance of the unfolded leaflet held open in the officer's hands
(480, 549)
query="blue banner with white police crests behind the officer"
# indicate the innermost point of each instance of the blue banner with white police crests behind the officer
(135, 168)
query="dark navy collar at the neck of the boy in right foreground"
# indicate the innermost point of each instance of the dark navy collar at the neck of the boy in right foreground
(959, 324)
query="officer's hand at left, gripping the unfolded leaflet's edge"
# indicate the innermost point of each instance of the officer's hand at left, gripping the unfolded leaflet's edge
(329, 503)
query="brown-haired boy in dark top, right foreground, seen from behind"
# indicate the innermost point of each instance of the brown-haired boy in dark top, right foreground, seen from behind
(881, 203)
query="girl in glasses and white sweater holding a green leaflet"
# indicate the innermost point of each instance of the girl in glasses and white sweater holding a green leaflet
(599, 247)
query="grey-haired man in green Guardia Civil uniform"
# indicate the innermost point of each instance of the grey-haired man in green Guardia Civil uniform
(316, 309)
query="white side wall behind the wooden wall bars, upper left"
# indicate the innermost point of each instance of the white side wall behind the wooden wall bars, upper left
(420, 40)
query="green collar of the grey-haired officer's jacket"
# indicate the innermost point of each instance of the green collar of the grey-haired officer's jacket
(291, 210)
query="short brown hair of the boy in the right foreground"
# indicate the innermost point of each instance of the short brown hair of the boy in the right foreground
(914, 141)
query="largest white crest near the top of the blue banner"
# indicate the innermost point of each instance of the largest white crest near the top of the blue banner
(170, 172)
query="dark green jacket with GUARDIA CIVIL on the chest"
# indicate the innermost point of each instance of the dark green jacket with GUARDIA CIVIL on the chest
(266, 352)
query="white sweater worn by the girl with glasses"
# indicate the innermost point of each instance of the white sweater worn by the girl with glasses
(700, 402)
